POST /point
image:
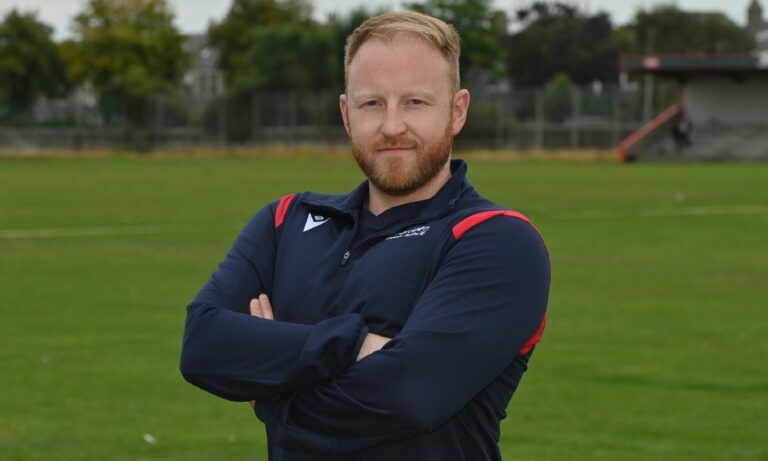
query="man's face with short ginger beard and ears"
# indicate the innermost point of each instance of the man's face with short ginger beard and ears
(401, 113)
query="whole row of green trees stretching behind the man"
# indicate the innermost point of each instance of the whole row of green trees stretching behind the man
(125, 51)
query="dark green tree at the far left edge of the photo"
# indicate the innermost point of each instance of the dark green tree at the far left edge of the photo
(30, 65)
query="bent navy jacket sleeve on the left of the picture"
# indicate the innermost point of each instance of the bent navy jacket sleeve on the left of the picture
(234, 355)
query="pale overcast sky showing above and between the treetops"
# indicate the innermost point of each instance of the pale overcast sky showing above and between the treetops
(194, 15)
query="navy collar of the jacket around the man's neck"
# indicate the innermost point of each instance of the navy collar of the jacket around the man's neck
(353, 202)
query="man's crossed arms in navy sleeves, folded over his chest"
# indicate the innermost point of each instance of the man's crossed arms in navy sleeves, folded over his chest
(486, 300)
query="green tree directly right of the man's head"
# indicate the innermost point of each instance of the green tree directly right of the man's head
(478, 26)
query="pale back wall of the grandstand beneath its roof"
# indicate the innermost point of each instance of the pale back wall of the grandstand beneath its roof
(723, 99)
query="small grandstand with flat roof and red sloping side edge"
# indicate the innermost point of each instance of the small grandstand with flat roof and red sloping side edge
(721, 114)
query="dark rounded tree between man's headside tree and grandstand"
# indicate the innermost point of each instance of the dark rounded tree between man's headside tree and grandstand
(558, 39)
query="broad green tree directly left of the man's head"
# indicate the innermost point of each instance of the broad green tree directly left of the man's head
(271, 46)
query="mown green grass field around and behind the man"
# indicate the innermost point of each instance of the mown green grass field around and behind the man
(655, 350)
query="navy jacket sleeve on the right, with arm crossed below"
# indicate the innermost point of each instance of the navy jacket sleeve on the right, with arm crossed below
(486, 301)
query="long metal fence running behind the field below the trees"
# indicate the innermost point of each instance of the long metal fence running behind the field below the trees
(554, 117)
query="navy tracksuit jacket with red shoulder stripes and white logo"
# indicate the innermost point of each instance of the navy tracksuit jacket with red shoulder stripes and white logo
(459, 284)
